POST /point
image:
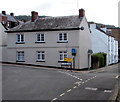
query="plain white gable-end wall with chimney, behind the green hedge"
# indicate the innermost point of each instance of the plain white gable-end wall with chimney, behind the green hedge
(99, 41)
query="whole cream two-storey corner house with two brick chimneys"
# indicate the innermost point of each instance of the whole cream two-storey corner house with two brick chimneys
(48, 41)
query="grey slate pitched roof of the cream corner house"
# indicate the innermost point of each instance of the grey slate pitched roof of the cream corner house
(50, 23)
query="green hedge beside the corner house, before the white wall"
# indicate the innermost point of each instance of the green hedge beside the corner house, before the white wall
(98, 60)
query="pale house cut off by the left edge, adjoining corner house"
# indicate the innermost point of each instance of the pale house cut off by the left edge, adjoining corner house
(3, 43)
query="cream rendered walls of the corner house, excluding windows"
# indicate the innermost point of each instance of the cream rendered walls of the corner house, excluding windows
(52, 48)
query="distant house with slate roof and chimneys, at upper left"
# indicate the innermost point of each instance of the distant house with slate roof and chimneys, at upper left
(8, 20)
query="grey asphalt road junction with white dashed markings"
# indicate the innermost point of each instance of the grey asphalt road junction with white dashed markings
(34, 83)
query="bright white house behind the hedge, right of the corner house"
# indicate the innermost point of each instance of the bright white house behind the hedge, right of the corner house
(102, 42)
